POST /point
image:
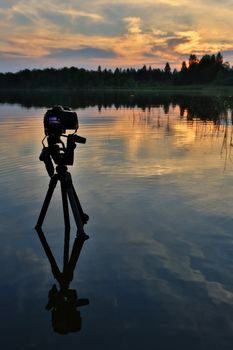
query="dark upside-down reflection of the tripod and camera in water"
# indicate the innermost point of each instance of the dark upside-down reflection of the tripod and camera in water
(64, 301)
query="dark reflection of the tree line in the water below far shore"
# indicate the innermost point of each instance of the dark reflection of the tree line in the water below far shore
(201, 107)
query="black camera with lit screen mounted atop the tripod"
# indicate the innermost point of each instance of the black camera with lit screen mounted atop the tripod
(59, 119)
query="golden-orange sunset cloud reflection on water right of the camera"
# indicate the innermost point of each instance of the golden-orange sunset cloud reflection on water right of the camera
(139, 134)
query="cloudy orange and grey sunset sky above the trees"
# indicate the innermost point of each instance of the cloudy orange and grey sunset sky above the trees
(110, 34)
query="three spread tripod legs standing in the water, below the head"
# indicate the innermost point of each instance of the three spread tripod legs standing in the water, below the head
(68, 193)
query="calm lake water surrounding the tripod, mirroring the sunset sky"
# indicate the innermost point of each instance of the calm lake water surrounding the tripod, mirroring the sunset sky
(156, 179)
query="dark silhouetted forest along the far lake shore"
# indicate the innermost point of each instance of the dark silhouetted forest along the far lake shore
(209, 70)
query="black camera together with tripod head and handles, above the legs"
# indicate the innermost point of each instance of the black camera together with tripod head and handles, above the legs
(56, 121)
